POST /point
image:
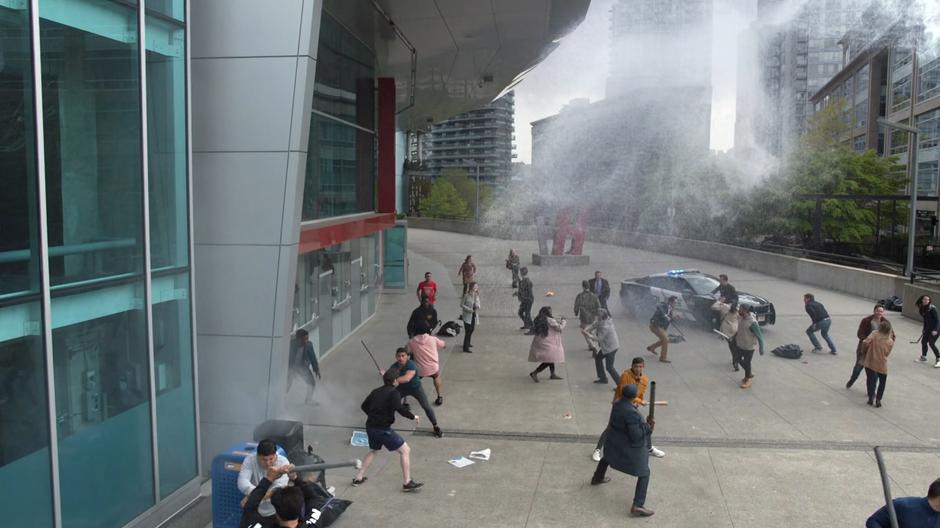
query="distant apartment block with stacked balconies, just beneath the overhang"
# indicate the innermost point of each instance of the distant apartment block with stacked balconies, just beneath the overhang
(478, 140)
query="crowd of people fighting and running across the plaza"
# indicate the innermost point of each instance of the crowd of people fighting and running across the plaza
(626, 442)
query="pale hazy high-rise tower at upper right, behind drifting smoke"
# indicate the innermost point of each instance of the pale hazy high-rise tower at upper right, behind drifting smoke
(793, 53)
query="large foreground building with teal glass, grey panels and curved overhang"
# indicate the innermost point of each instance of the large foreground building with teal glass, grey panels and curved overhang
(183, 184)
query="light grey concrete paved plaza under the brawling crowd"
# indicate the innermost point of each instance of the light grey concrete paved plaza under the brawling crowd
(795, 449)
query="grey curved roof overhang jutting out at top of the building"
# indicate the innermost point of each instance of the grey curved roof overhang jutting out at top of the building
(467, 52)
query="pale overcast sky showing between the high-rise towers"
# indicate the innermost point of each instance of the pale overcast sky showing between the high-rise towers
(578, 68)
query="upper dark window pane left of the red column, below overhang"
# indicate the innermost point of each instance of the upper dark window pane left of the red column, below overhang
(345, 75)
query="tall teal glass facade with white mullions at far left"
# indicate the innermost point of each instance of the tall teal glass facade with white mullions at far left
(96, 338)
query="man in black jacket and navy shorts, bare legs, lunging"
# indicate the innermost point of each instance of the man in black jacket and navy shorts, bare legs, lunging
(380, 406)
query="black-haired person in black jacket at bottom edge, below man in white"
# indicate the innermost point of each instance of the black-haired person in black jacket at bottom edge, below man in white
(293, 505)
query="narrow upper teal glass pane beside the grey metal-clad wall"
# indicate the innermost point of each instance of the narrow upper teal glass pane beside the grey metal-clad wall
(166, 141)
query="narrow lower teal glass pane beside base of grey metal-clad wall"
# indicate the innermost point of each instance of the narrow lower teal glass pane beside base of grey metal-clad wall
(173, 380)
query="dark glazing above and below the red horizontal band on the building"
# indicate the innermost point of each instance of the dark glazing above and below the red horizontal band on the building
(337, 286)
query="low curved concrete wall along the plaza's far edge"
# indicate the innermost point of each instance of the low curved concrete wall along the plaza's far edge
(869, 284)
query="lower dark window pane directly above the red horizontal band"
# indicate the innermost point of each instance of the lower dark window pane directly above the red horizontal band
(340, 174)
